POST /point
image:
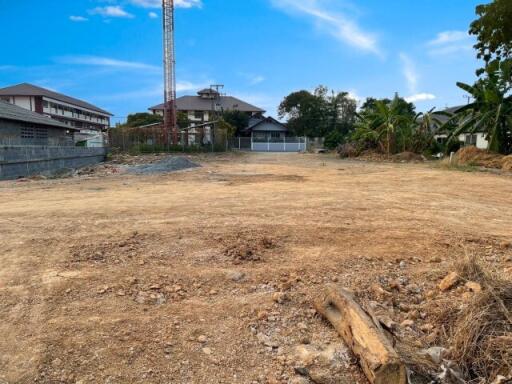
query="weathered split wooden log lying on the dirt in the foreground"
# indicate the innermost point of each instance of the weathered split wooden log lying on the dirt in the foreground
(380, 362)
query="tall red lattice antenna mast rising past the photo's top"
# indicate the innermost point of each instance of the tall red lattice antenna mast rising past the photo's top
(170, 118)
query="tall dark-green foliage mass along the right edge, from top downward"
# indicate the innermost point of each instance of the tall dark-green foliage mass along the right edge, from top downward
(490, 111)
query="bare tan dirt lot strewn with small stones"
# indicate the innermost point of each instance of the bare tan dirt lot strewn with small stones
(208, 275)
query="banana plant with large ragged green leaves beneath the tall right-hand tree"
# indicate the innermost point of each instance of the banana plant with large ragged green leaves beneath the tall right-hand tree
(491, 110)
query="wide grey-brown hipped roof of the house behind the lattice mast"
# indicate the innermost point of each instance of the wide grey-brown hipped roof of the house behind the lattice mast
(196, 103)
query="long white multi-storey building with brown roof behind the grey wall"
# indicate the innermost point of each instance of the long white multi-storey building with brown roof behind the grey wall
(90, 120)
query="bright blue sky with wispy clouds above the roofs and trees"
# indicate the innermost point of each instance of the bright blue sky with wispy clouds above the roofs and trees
(109, 52)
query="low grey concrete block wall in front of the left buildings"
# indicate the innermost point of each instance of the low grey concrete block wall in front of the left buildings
(27, 160)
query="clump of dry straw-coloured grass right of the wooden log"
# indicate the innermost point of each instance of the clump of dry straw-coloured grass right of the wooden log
(481, 331)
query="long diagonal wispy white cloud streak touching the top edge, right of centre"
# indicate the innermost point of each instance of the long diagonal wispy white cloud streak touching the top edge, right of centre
(336, 24)
